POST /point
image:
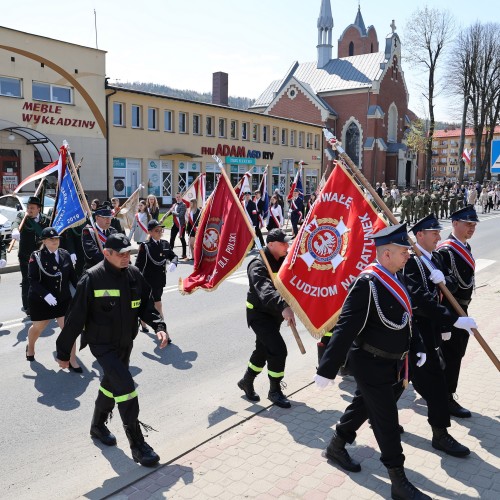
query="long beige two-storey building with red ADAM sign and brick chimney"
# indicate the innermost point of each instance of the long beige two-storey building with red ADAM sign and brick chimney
(165, 142)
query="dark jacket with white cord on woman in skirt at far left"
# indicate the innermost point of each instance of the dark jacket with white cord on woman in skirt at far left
(57, 284)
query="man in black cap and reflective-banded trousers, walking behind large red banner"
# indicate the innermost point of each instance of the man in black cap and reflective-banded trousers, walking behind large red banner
(266, 310)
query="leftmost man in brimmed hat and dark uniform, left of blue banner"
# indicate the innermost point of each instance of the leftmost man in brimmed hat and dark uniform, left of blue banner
(29, 240)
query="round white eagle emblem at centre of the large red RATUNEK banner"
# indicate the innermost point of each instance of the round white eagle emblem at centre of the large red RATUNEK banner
(324, 244)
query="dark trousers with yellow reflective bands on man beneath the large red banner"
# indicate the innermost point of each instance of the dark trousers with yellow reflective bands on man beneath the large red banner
(270, 347)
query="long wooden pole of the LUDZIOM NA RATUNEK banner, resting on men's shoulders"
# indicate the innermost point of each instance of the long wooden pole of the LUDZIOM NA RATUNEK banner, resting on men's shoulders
(443, 288)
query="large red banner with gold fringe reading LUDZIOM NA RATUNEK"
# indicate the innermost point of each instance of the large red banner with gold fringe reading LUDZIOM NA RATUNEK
(330, 251)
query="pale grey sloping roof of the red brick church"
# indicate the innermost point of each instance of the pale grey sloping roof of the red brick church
(348, 73)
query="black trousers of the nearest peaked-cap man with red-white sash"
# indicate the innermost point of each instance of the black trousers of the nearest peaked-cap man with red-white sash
(376, 398)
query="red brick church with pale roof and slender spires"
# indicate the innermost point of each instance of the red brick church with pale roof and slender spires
(361, 96)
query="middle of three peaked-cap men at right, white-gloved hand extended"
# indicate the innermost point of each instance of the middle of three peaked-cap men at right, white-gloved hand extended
(431, 318)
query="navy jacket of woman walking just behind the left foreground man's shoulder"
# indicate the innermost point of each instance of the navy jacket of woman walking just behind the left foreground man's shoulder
(152, 259)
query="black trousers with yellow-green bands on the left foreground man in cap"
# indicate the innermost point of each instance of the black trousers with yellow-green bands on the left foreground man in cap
(117, 381)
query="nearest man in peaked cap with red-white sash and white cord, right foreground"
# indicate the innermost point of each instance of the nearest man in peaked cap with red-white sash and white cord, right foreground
(376, 316)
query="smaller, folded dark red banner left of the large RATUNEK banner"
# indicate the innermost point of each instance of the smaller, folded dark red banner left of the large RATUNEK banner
(222, 241)
